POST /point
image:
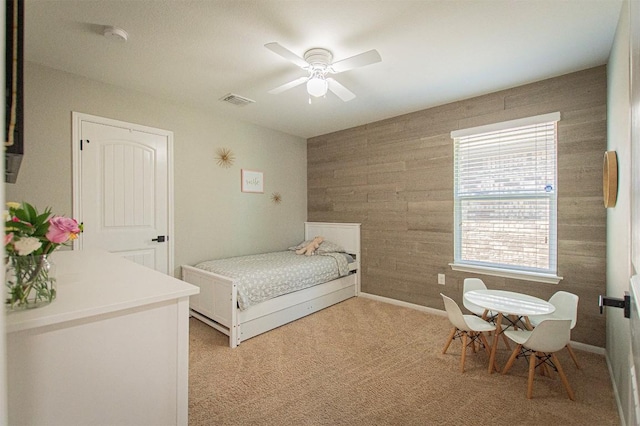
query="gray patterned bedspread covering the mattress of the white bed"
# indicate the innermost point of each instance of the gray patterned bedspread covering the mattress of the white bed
(264, 276)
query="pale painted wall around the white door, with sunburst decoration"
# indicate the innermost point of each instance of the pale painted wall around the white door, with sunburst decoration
(213, 218)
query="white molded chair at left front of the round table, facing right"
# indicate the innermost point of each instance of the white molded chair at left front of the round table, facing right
(466, 327)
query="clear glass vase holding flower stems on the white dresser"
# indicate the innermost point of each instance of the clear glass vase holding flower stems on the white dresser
(30, 282)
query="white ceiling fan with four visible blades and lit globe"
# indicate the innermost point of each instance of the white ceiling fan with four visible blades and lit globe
(318, 63)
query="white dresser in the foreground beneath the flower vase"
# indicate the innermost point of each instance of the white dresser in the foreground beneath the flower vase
(112, 349)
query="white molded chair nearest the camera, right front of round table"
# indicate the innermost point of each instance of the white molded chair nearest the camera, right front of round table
(548, 337)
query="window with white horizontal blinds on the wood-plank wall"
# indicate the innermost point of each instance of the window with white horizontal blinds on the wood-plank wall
(505, 198)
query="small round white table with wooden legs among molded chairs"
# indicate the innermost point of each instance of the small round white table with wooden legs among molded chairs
(507, 303)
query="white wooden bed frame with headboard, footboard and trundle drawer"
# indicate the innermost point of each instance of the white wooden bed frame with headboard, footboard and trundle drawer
(217, 303)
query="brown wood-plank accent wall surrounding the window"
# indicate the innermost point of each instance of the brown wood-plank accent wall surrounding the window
(396, 178)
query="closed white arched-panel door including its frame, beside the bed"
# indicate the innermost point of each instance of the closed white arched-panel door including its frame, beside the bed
(122, 185)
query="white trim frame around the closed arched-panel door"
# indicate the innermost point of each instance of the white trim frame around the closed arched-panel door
(77, 118)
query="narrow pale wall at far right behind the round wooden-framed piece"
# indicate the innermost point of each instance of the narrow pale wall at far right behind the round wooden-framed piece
(618, 218)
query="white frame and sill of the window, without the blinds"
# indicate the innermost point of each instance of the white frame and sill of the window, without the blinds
(504, 270)
